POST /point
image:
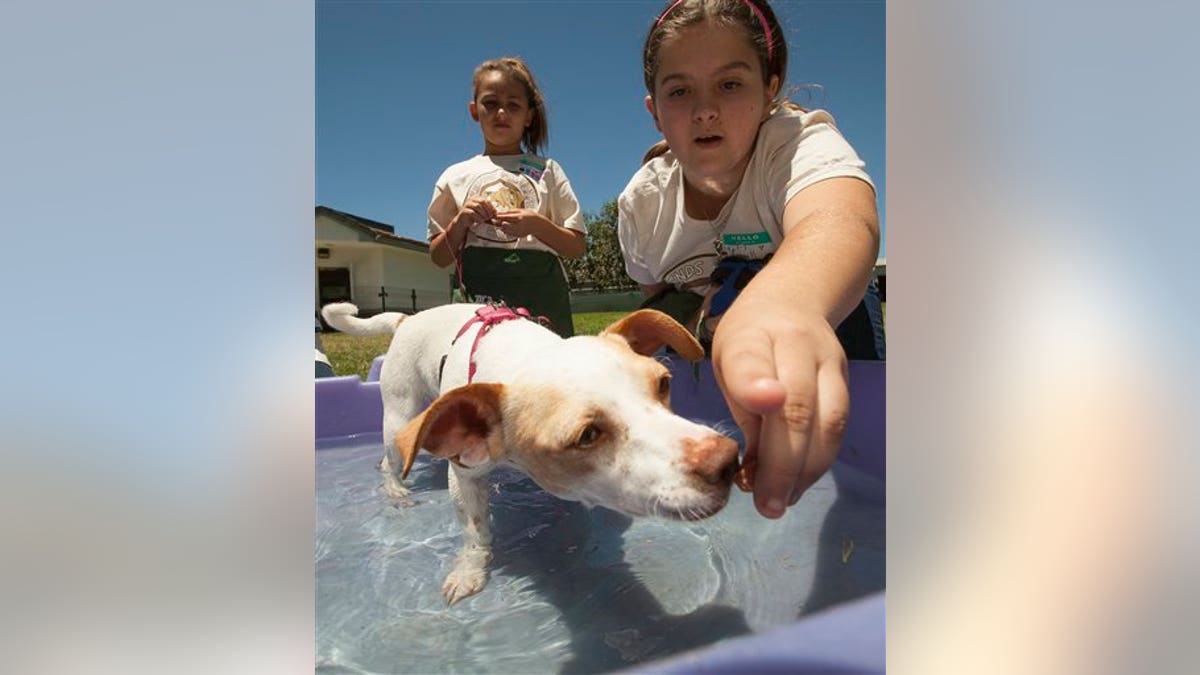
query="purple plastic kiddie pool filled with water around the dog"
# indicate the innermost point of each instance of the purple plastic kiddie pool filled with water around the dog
(579, 590)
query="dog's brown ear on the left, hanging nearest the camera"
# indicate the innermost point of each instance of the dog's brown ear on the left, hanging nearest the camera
(463, 425)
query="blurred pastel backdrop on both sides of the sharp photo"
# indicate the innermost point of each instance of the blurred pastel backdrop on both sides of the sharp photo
(1042, 240)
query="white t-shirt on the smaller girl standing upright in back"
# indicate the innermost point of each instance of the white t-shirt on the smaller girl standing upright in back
(509, 182)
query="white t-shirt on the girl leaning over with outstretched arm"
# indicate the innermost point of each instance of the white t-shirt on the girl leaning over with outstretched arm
(662, 243)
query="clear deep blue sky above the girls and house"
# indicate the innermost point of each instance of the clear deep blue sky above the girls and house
(394, 81)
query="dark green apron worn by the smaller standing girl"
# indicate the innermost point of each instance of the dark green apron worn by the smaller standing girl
(520, 278)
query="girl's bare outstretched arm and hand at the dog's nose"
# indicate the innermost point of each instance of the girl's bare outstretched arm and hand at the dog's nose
(777, 357)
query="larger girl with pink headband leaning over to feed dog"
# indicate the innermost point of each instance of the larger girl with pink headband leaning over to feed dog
(751, 198)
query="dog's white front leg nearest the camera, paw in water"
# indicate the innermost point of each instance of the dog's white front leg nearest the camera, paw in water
(470, 574)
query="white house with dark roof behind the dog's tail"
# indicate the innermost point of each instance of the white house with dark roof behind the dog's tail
(365, 262)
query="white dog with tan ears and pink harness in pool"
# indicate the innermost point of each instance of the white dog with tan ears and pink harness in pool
(587, 419)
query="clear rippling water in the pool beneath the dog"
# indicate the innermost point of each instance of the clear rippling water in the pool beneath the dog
(572, 589)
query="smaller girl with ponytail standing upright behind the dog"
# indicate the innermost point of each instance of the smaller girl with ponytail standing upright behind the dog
(507, 216)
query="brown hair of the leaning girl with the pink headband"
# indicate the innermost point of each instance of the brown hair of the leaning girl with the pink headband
(755, 19)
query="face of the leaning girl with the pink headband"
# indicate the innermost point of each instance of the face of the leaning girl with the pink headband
(710, 100)
